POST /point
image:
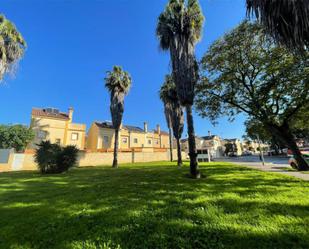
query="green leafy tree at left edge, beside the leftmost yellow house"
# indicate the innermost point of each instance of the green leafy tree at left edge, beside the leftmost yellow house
(15, 136)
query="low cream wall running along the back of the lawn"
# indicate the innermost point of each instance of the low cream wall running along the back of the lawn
(99, 158)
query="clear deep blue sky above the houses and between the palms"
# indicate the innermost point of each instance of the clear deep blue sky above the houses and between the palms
(72, 43)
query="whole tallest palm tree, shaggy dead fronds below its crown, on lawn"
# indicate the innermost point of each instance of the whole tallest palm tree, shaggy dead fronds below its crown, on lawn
(179, 29)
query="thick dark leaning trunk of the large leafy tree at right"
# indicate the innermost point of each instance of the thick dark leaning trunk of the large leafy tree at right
(284, 134)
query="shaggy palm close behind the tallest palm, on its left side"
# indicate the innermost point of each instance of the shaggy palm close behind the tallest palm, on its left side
(168, 95)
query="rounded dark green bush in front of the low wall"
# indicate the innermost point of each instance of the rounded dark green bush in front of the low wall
(53, 159)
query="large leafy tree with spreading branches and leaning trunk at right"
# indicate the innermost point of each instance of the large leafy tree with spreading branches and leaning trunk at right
(245, 71)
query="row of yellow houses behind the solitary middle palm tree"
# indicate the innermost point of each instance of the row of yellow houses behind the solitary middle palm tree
(101, 135)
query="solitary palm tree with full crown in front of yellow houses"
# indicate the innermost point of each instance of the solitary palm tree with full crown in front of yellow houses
(118, 83)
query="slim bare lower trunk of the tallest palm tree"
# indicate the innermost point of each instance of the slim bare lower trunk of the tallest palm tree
(192, 146)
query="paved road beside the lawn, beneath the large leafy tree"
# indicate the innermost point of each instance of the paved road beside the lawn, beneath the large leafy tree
(272, 164)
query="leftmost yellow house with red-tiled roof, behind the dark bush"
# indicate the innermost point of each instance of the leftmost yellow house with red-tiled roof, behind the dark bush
(57, 127)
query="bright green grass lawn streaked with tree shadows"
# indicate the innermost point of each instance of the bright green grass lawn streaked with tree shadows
(154, 206)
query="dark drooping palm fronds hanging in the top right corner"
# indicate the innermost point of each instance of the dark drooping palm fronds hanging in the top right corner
(286, 20)
